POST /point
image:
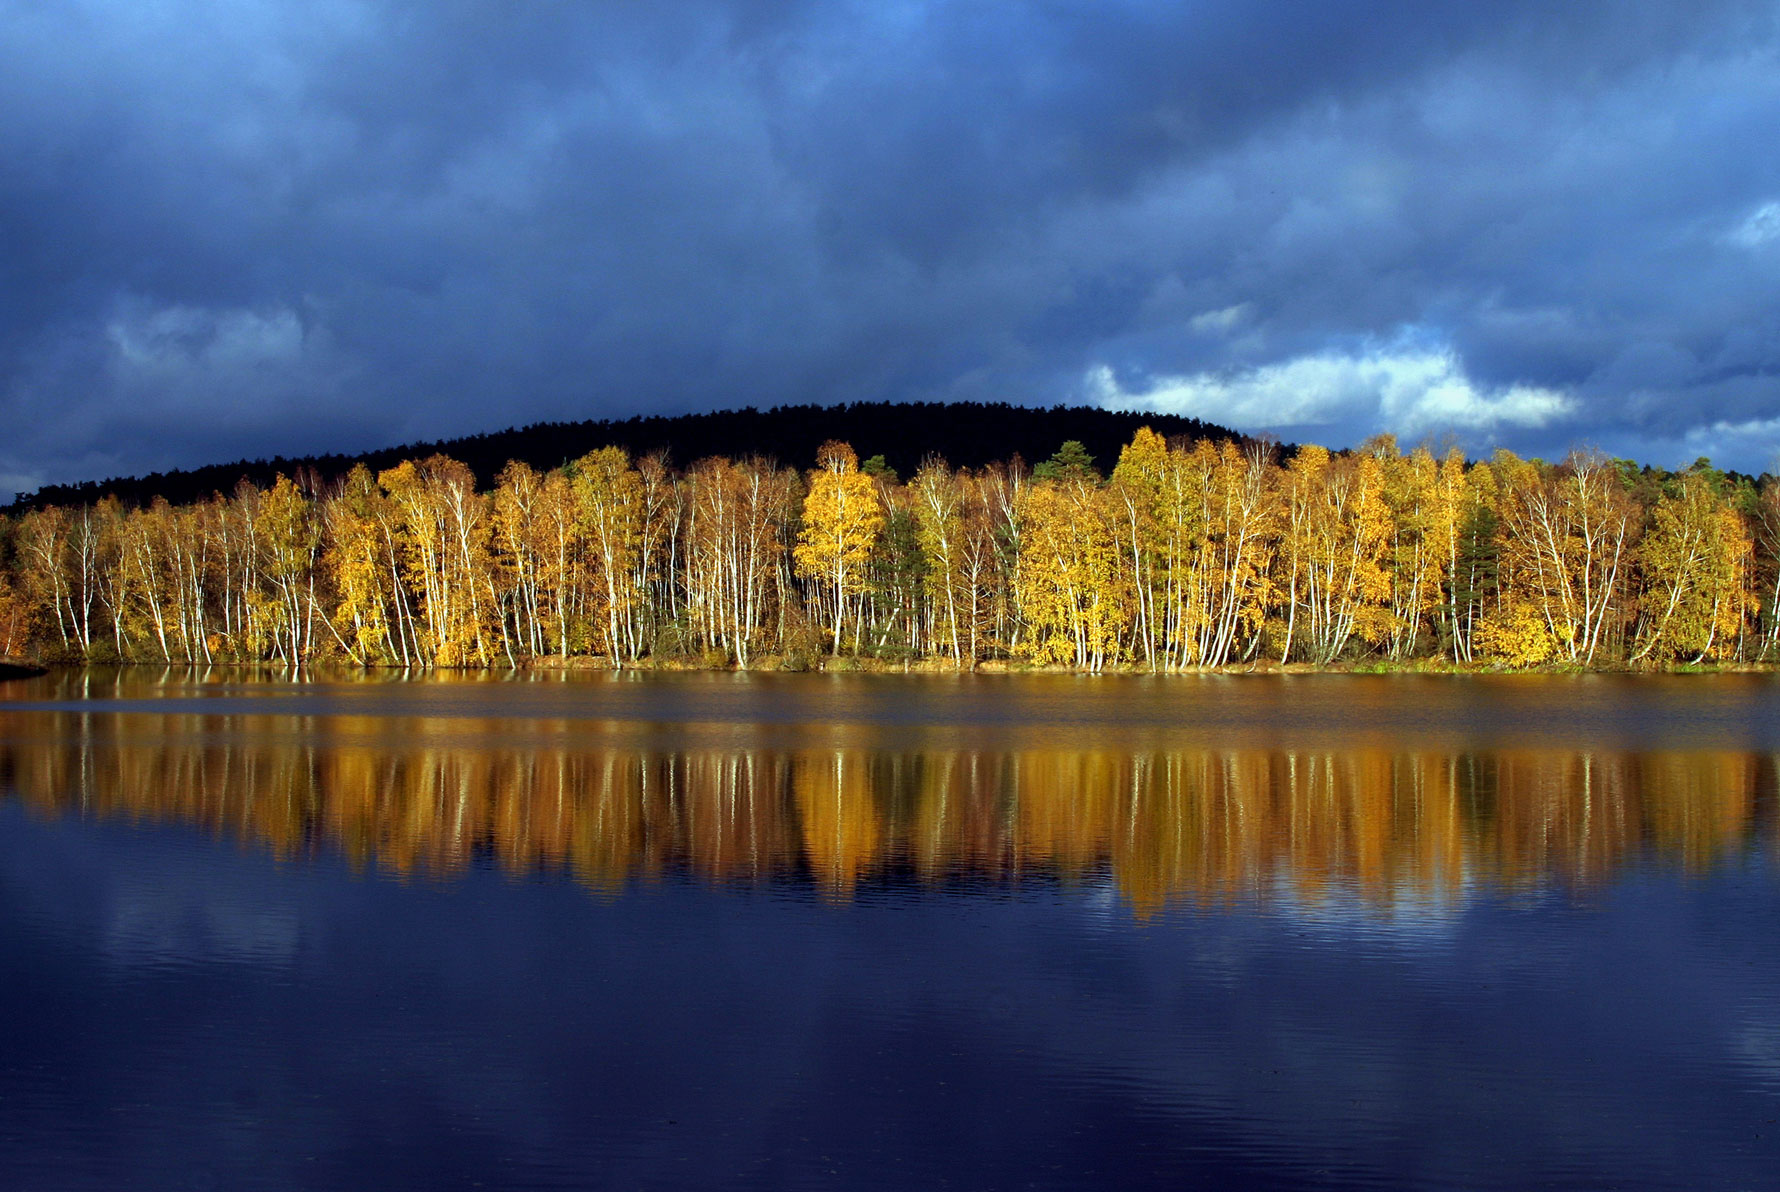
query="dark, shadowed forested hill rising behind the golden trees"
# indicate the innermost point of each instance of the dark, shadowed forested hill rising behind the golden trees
(966, 435)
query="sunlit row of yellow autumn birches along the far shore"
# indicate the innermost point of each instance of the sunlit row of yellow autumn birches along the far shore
(1186, 554)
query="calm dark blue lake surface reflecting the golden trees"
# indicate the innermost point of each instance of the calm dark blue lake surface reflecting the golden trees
(889, 933)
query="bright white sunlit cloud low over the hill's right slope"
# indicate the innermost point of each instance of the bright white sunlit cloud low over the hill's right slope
(1402, 389)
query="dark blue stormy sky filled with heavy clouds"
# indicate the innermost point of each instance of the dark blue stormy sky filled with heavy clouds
(239, 229)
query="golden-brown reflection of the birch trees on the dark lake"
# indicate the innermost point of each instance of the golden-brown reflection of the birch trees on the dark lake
(1167, 825)
